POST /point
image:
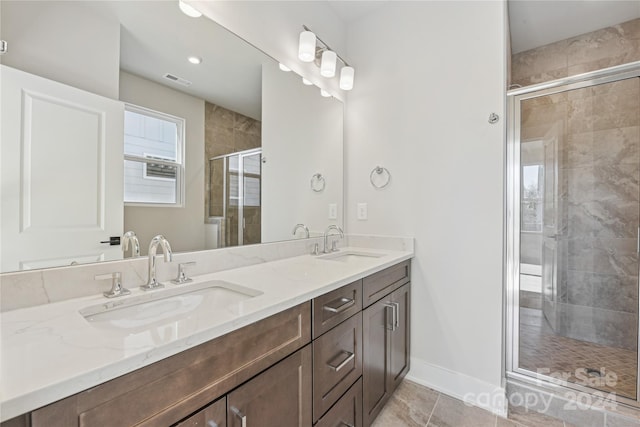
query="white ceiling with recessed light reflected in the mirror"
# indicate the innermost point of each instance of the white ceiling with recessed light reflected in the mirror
(230, 74)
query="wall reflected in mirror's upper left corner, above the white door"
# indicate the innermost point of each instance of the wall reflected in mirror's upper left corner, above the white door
(63, 41)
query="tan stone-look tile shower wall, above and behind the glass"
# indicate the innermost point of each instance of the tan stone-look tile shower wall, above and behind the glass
(598, 133)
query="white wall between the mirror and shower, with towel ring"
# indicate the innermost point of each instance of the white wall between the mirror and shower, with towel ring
(429, 75)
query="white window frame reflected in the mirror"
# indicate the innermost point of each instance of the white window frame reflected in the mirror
(147, 158)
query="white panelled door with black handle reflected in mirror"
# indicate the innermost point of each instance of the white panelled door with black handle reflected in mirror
(61, 170)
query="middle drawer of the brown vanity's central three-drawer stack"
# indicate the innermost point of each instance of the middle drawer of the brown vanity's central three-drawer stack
(337, 363)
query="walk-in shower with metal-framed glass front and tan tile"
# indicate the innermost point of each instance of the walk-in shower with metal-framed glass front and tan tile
(573, 215)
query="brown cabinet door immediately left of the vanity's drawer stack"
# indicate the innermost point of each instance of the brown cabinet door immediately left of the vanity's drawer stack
(279, 397)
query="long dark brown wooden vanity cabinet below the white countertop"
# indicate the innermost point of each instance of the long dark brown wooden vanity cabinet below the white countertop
(330, 362)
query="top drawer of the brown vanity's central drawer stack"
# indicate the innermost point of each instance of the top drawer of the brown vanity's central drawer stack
(332, 308)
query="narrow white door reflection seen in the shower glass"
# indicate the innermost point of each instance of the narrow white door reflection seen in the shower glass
(550, 228)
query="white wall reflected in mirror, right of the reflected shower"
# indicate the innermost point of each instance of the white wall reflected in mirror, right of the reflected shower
(301, 136)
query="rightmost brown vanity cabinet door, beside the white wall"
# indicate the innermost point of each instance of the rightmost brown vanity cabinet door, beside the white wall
(400, 336)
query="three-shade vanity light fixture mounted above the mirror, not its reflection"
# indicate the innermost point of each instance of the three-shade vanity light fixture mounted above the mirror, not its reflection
(324, 57)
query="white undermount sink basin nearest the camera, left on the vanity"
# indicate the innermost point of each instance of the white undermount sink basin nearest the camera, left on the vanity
(163, 305)
